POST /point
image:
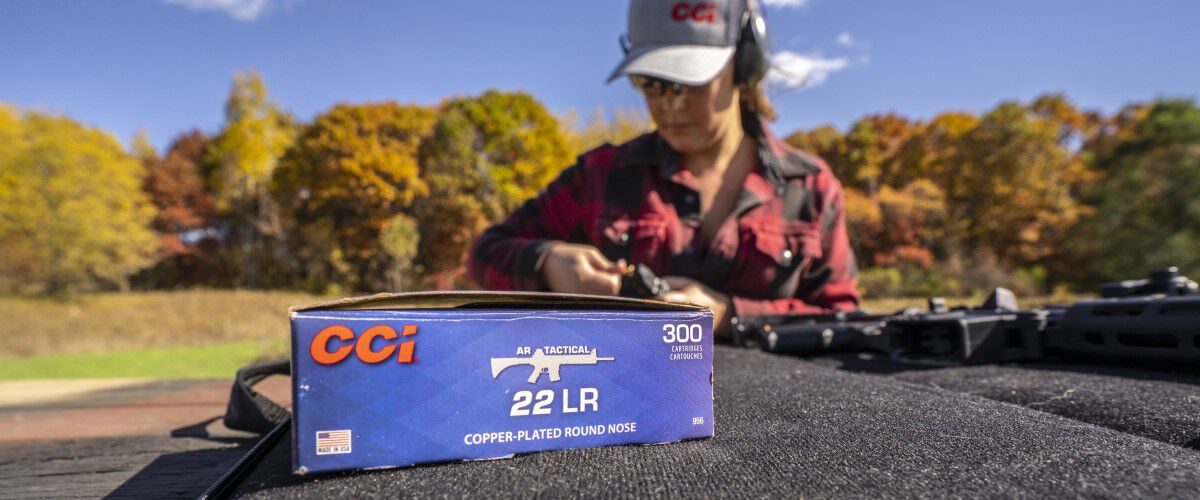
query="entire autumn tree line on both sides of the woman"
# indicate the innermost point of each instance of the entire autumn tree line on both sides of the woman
(388, 197)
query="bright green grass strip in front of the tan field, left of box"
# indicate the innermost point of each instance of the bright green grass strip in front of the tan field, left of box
(218, 362)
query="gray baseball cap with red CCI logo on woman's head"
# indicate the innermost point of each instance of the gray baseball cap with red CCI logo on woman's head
(688, 43)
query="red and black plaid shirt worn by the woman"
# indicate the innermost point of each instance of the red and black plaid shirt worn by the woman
(783, 250)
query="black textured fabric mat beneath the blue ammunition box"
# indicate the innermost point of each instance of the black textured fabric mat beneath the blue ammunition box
(788, 426)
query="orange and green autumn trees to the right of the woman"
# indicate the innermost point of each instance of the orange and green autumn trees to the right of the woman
(1034, 196)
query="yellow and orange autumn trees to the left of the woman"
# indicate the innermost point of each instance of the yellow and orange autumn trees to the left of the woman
(367, 197)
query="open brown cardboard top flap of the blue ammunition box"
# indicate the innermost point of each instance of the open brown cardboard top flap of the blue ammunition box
(493, 300)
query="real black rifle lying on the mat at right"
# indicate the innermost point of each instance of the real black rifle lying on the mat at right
(1148, 321)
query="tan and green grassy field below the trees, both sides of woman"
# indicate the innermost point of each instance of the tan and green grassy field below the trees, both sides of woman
(195, 334)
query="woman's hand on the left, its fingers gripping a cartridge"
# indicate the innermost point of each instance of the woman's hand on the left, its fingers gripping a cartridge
(580, 269)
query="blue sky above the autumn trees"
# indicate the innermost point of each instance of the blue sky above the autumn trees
(166, 65)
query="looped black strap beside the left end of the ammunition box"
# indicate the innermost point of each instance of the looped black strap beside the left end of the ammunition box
(250, 411)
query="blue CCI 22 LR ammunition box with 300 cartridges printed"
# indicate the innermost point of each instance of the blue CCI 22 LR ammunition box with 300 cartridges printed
(400, 379)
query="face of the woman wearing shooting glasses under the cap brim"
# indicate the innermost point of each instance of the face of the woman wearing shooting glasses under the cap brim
(698, 121)
